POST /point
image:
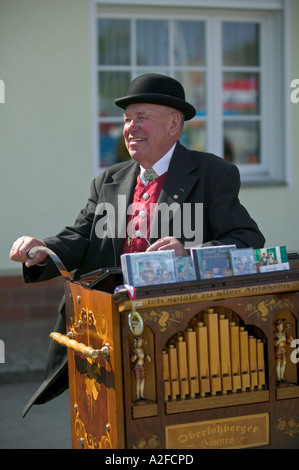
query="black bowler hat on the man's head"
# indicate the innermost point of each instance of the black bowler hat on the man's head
(157, 89)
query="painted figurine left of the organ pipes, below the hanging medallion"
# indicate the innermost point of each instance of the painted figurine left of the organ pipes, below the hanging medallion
(139, 357)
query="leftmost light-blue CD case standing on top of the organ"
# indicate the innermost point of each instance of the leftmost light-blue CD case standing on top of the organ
(149, 268)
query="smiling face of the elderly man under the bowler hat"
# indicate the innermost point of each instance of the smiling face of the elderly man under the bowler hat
(149, 131)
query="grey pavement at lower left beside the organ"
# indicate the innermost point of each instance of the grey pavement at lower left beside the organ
(45, 426)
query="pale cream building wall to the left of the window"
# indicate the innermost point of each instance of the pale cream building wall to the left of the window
(45, 122)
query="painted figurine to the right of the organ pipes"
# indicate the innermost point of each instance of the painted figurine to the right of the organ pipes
(280, 342)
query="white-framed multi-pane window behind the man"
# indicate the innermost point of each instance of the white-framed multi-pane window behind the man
(227, 64)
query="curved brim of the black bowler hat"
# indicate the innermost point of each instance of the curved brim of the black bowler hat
(155, 98)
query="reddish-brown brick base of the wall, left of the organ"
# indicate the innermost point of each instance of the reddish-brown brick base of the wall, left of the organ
(20, 301)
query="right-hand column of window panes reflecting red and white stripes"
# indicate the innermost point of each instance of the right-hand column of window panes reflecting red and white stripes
(241, 92)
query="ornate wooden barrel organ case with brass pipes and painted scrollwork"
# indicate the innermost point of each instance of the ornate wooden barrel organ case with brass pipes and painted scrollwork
(210, 378)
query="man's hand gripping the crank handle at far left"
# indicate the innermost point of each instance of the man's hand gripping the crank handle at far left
(20, 248)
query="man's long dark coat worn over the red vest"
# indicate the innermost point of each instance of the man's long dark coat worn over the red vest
(192, 177)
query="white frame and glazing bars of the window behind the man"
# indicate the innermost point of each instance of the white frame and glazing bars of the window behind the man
(272, 170)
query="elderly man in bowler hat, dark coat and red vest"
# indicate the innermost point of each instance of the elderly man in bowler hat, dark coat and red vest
(161, 173)
